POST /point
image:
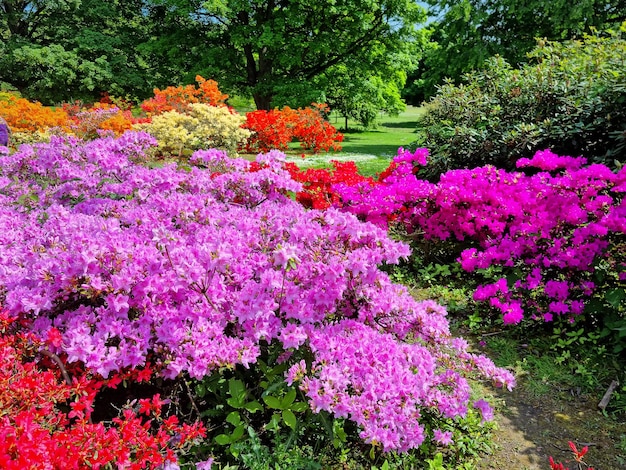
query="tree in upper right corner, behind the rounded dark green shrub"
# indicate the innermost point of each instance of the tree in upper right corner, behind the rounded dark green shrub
(466, 32)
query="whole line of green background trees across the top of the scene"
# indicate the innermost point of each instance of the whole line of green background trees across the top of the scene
(356, 55)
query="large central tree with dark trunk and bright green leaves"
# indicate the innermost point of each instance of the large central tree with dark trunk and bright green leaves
(263, 47)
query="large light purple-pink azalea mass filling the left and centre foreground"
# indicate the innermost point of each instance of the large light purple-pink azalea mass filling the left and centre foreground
(197, 268)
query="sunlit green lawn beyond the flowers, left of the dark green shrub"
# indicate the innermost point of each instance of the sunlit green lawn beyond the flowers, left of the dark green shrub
(372, 150)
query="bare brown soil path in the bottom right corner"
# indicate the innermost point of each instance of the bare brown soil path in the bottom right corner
(532, 428)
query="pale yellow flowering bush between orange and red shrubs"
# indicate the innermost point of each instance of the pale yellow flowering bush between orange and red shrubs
(201, 126)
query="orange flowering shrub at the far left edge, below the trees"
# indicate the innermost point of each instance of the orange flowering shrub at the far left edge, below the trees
(25, 116)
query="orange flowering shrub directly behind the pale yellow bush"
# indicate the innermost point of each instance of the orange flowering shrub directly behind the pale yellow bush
(177, 98)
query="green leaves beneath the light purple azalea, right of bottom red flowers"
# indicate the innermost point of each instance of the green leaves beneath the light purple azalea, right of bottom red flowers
(257, 421)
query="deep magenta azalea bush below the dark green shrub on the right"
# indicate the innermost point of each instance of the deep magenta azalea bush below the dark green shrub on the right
(550, 226)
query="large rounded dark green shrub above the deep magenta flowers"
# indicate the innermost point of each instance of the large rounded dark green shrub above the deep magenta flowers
(570, 98)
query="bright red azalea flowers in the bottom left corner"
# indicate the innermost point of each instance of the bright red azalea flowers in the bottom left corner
(46, 421)
